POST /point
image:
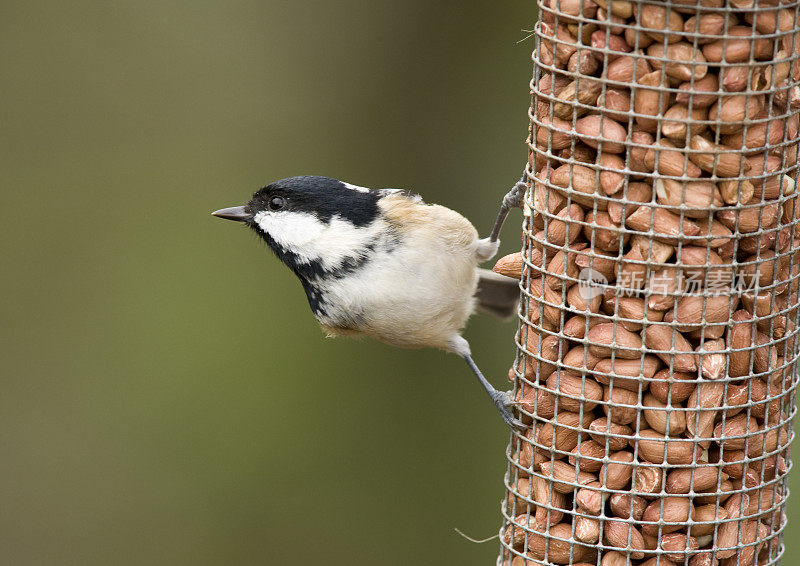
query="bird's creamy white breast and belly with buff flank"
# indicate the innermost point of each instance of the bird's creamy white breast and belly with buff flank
(418, 293)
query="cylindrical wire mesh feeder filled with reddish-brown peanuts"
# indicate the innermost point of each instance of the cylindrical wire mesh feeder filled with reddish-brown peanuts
(658, 342)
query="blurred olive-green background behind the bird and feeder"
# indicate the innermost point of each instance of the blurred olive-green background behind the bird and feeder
(167, 397)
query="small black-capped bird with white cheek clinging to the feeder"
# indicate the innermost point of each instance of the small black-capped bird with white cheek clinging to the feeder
(383, 263)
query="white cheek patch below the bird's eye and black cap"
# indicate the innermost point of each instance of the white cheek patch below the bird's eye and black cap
(311, 239)
